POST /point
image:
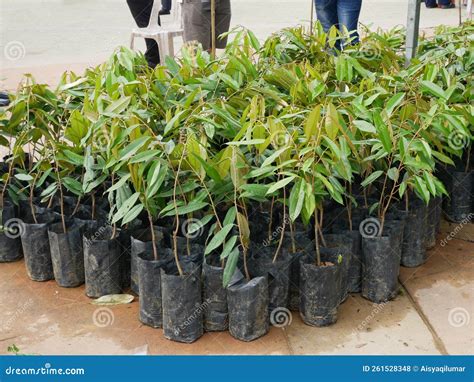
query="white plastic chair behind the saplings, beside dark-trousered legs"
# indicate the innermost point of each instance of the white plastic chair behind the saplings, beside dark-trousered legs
(164, 35)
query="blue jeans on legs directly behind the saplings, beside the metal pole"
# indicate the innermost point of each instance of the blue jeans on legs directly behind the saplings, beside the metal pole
(339, 13)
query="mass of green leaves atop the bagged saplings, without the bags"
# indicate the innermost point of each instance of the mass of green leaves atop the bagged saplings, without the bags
(289, 122)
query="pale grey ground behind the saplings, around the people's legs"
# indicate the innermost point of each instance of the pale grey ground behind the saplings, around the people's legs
(48, 37)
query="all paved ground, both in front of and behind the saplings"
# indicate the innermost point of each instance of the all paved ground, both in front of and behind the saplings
(432, 315)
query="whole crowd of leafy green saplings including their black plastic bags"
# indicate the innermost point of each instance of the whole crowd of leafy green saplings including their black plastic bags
(279, 176)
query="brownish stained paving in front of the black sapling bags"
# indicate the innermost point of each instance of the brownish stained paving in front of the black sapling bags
(431, 316)
